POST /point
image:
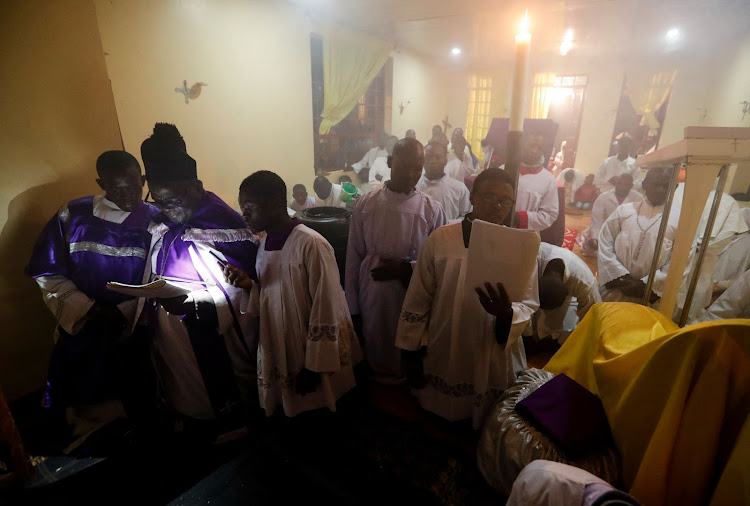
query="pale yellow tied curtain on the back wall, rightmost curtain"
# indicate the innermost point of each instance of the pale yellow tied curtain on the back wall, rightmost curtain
(647, 91)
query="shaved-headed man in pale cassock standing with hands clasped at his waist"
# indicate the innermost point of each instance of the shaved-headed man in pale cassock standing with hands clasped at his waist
(386, 232)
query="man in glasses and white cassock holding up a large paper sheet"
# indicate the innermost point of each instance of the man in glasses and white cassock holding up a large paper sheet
(464, 369)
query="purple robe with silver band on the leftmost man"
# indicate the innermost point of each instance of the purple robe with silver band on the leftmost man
(88, 243)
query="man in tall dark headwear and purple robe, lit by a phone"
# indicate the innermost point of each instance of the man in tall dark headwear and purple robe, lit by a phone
(203, 345)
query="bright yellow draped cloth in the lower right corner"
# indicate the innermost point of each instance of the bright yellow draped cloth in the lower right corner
(677, 400)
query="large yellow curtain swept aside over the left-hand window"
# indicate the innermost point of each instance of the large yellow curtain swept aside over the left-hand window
(350, 63)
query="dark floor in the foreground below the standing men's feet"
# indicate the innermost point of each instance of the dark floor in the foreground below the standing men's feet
(380, 448)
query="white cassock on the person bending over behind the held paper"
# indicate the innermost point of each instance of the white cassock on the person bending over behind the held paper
(581, 284)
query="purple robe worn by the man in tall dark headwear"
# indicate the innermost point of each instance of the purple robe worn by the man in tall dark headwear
(204, 370)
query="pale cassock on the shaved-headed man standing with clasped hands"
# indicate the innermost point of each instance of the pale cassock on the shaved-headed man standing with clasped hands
(385, 224)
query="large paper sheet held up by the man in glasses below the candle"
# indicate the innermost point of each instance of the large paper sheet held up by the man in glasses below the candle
(500, 254)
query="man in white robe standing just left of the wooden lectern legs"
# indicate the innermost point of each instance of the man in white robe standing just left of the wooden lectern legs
(628, 239)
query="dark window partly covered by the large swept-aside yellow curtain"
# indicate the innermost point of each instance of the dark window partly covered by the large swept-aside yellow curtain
(348, 141)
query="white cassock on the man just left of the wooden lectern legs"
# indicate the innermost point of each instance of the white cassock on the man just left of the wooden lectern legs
(626, 246)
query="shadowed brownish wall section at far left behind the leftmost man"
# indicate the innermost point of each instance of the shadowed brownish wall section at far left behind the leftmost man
(58, 116)
